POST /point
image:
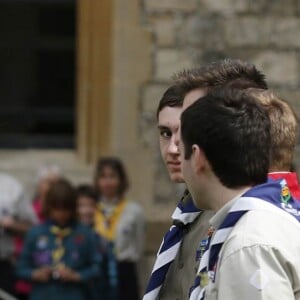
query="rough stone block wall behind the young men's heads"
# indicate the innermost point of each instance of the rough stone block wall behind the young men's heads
(194, 32)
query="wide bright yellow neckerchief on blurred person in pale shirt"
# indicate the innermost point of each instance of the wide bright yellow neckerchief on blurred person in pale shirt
(106, 224)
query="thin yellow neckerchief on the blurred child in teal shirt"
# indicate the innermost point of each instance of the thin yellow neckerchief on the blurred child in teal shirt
(59, 250)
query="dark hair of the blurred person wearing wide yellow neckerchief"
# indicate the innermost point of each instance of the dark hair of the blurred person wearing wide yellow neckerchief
(117, 166)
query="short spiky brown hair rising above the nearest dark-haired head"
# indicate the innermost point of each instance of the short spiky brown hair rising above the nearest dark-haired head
(230, 73)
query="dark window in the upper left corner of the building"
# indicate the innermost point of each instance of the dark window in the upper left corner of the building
(37, 74)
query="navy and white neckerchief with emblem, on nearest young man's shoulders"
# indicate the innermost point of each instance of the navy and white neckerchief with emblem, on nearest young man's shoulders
(257, 198)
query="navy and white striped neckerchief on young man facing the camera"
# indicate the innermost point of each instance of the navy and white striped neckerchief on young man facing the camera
(184, 214)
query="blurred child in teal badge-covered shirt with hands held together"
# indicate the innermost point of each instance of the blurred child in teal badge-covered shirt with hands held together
(60, 255)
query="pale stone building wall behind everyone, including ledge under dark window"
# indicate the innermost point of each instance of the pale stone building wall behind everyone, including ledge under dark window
(183, 33)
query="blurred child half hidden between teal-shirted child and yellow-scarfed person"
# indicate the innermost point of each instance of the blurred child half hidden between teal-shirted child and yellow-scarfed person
(105, 286)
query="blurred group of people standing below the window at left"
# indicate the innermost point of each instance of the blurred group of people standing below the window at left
(71, 242)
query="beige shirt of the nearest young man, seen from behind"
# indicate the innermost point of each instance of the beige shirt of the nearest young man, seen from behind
(260, 259)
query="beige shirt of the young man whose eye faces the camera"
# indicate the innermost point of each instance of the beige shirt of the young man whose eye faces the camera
(183, 270)
